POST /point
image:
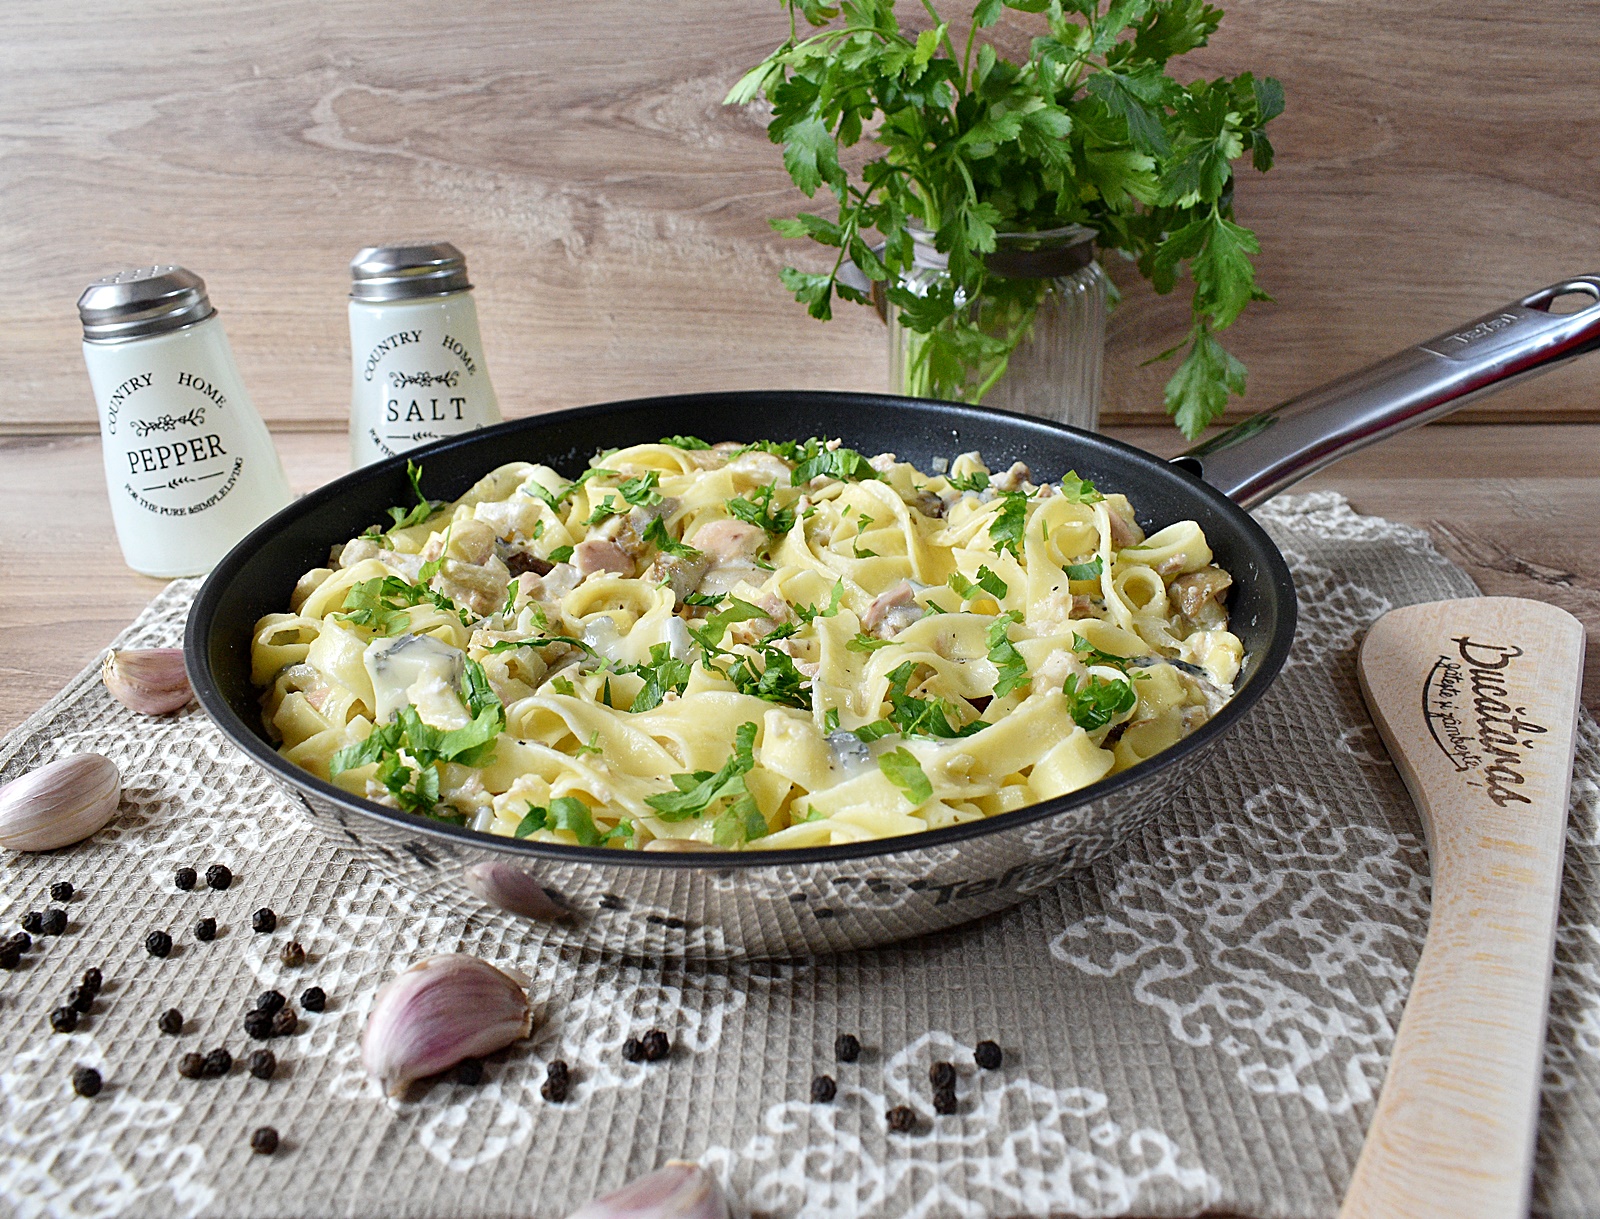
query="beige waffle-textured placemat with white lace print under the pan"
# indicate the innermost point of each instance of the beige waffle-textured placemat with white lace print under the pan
(1196, 1025)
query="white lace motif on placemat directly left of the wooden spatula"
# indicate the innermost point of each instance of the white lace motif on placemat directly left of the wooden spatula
(1282, 937)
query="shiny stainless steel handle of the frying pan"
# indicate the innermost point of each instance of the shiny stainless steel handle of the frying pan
(1286, 444)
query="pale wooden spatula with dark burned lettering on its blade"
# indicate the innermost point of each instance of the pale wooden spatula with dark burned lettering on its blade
(1478, 703)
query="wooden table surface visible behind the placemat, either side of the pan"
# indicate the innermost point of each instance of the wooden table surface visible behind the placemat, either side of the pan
(1516, 505)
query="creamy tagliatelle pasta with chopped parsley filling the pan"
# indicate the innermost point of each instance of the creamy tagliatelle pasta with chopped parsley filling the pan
(767, 645)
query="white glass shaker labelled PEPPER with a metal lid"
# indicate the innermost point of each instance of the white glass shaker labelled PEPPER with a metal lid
(190, 465)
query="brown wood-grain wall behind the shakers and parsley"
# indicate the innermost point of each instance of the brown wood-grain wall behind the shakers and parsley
(1436, 159)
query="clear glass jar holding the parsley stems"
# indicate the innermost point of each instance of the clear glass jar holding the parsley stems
(1042, 321)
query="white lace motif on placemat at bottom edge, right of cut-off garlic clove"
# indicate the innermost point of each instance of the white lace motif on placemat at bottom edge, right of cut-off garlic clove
(1017, 1148)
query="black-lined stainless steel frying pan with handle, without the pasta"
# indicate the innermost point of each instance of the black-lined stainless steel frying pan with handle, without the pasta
(794, 903)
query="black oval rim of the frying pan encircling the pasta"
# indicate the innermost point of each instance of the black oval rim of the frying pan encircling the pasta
(1258, 676)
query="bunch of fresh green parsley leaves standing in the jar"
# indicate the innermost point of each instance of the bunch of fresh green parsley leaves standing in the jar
(1090, 129)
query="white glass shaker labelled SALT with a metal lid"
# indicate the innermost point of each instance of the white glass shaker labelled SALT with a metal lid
(417, 358)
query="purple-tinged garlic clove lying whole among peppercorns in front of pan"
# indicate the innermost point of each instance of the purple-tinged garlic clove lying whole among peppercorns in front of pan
(439, 1012)
